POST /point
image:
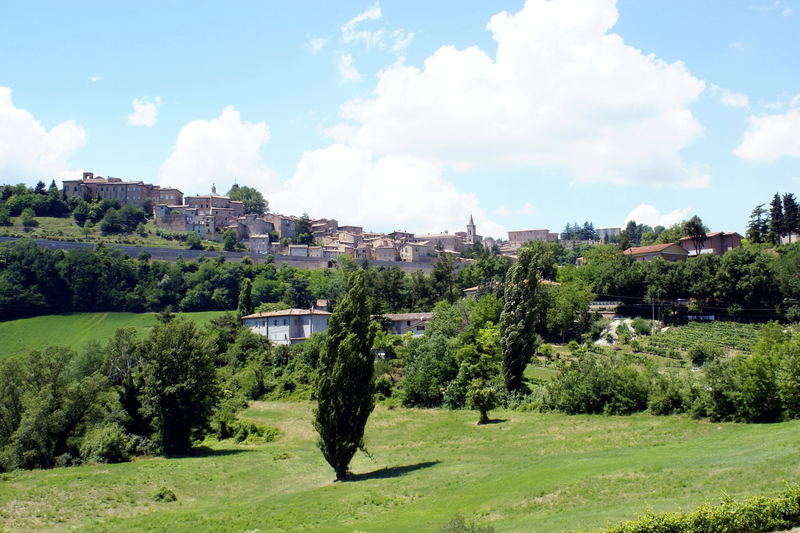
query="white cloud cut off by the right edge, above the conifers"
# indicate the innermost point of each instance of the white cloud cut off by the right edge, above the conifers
(770, 137)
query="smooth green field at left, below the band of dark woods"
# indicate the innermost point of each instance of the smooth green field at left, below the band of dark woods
(75, 330)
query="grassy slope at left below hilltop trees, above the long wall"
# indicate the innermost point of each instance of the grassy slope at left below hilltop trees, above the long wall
(65, 229)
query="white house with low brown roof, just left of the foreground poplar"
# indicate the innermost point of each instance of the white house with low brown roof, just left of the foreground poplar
(290, 326)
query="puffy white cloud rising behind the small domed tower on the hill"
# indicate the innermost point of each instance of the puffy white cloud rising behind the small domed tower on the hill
(221, 151)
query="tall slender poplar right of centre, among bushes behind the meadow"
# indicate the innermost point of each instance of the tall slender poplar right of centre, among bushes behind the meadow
(523, 310)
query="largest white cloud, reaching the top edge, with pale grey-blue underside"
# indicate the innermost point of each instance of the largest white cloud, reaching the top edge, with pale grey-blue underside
(562, 91)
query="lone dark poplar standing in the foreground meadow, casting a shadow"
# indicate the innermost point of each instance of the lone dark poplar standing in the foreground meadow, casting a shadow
(344, 386)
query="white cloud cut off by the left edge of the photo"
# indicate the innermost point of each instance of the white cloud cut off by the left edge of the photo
(29, 151)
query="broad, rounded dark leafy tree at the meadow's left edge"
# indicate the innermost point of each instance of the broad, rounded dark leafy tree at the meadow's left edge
(179, 389)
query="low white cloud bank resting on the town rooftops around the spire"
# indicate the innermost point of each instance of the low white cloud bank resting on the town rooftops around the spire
(383, 193)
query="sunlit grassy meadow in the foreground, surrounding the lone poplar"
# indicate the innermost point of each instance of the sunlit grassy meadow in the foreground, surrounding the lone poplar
(528, 472)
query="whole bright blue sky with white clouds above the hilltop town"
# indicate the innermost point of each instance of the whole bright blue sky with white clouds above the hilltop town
(412, 115)
